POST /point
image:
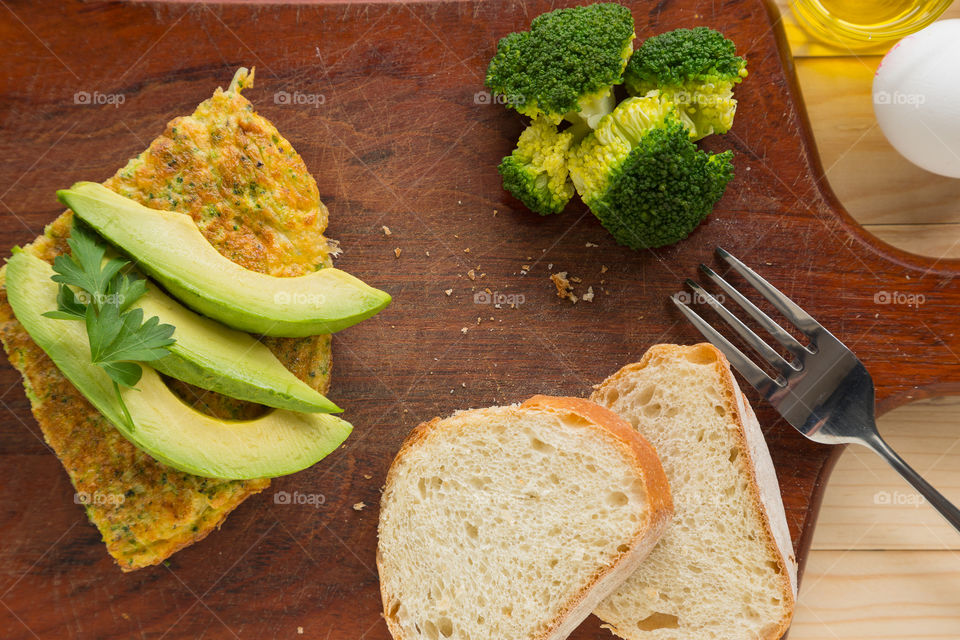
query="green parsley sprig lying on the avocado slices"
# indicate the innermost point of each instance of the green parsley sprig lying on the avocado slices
(99, 292)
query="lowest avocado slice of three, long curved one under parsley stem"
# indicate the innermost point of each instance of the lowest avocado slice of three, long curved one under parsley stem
(276, 444)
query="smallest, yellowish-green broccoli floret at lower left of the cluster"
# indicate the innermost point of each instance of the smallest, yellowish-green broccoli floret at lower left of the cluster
(536, 172)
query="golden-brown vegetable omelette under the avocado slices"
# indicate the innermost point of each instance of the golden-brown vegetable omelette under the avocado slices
(251, 196)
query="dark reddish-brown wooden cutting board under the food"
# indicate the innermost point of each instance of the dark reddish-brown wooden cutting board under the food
(387, 106)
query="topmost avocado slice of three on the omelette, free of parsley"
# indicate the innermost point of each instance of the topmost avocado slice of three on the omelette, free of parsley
(169, 247)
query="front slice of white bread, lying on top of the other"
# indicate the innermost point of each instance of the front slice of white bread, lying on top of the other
(512, 523)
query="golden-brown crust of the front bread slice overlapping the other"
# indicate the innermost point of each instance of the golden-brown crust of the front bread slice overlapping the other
(646, 463)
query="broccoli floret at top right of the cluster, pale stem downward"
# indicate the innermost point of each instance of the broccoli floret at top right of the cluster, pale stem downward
(696, 69)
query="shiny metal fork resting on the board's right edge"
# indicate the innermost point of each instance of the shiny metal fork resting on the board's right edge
(823, 390)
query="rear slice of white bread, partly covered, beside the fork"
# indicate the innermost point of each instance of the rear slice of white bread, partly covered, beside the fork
(725, 568)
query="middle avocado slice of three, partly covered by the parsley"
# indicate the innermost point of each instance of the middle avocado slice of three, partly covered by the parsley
(207, 354)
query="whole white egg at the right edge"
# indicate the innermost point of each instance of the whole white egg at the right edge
(916, 96)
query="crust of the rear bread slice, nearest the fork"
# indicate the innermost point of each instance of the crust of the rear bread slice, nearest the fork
(763, 485)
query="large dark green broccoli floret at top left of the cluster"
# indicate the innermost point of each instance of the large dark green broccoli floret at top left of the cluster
(566, 64)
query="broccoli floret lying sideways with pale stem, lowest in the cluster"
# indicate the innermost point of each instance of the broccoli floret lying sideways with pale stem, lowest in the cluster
(643, 178)
